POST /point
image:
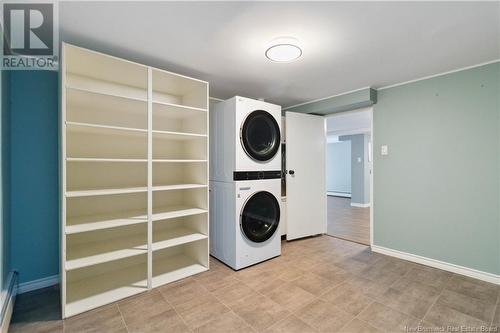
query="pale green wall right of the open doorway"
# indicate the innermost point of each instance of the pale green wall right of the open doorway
(437, 192)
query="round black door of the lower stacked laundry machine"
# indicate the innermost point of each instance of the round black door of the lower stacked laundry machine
(260, 217)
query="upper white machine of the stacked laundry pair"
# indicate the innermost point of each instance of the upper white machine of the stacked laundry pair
(245, 136)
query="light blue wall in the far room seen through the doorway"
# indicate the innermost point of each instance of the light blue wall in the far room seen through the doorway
(338, 167)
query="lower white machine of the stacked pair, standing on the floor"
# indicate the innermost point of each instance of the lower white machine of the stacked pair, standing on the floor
(244, 221)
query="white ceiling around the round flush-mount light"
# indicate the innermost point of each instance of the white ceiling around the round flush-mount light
(346, 45)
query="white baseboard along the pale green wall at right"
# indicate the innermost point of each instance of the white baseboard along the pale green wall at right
(470, 272)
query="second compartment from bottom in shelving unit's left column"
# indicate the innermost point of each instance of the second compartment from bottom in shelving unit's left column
(103, 251)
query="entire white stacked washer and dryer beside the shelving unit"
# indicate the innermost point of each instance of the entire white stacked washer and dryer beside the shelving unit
(245, 181)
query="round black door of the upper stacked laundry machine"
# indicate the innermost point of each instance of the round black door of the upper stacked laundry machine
(260, 135)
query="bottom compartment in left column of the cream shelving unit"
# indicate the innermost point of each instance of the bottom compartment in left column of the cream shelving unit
(92, 292)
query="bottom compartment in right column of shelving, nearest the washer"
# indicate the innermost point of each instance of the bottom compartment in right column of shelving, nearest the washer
(169, 269)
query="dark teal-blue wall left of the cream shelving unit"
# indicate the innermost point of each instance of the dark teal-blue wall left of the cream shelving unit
(34, 169)
